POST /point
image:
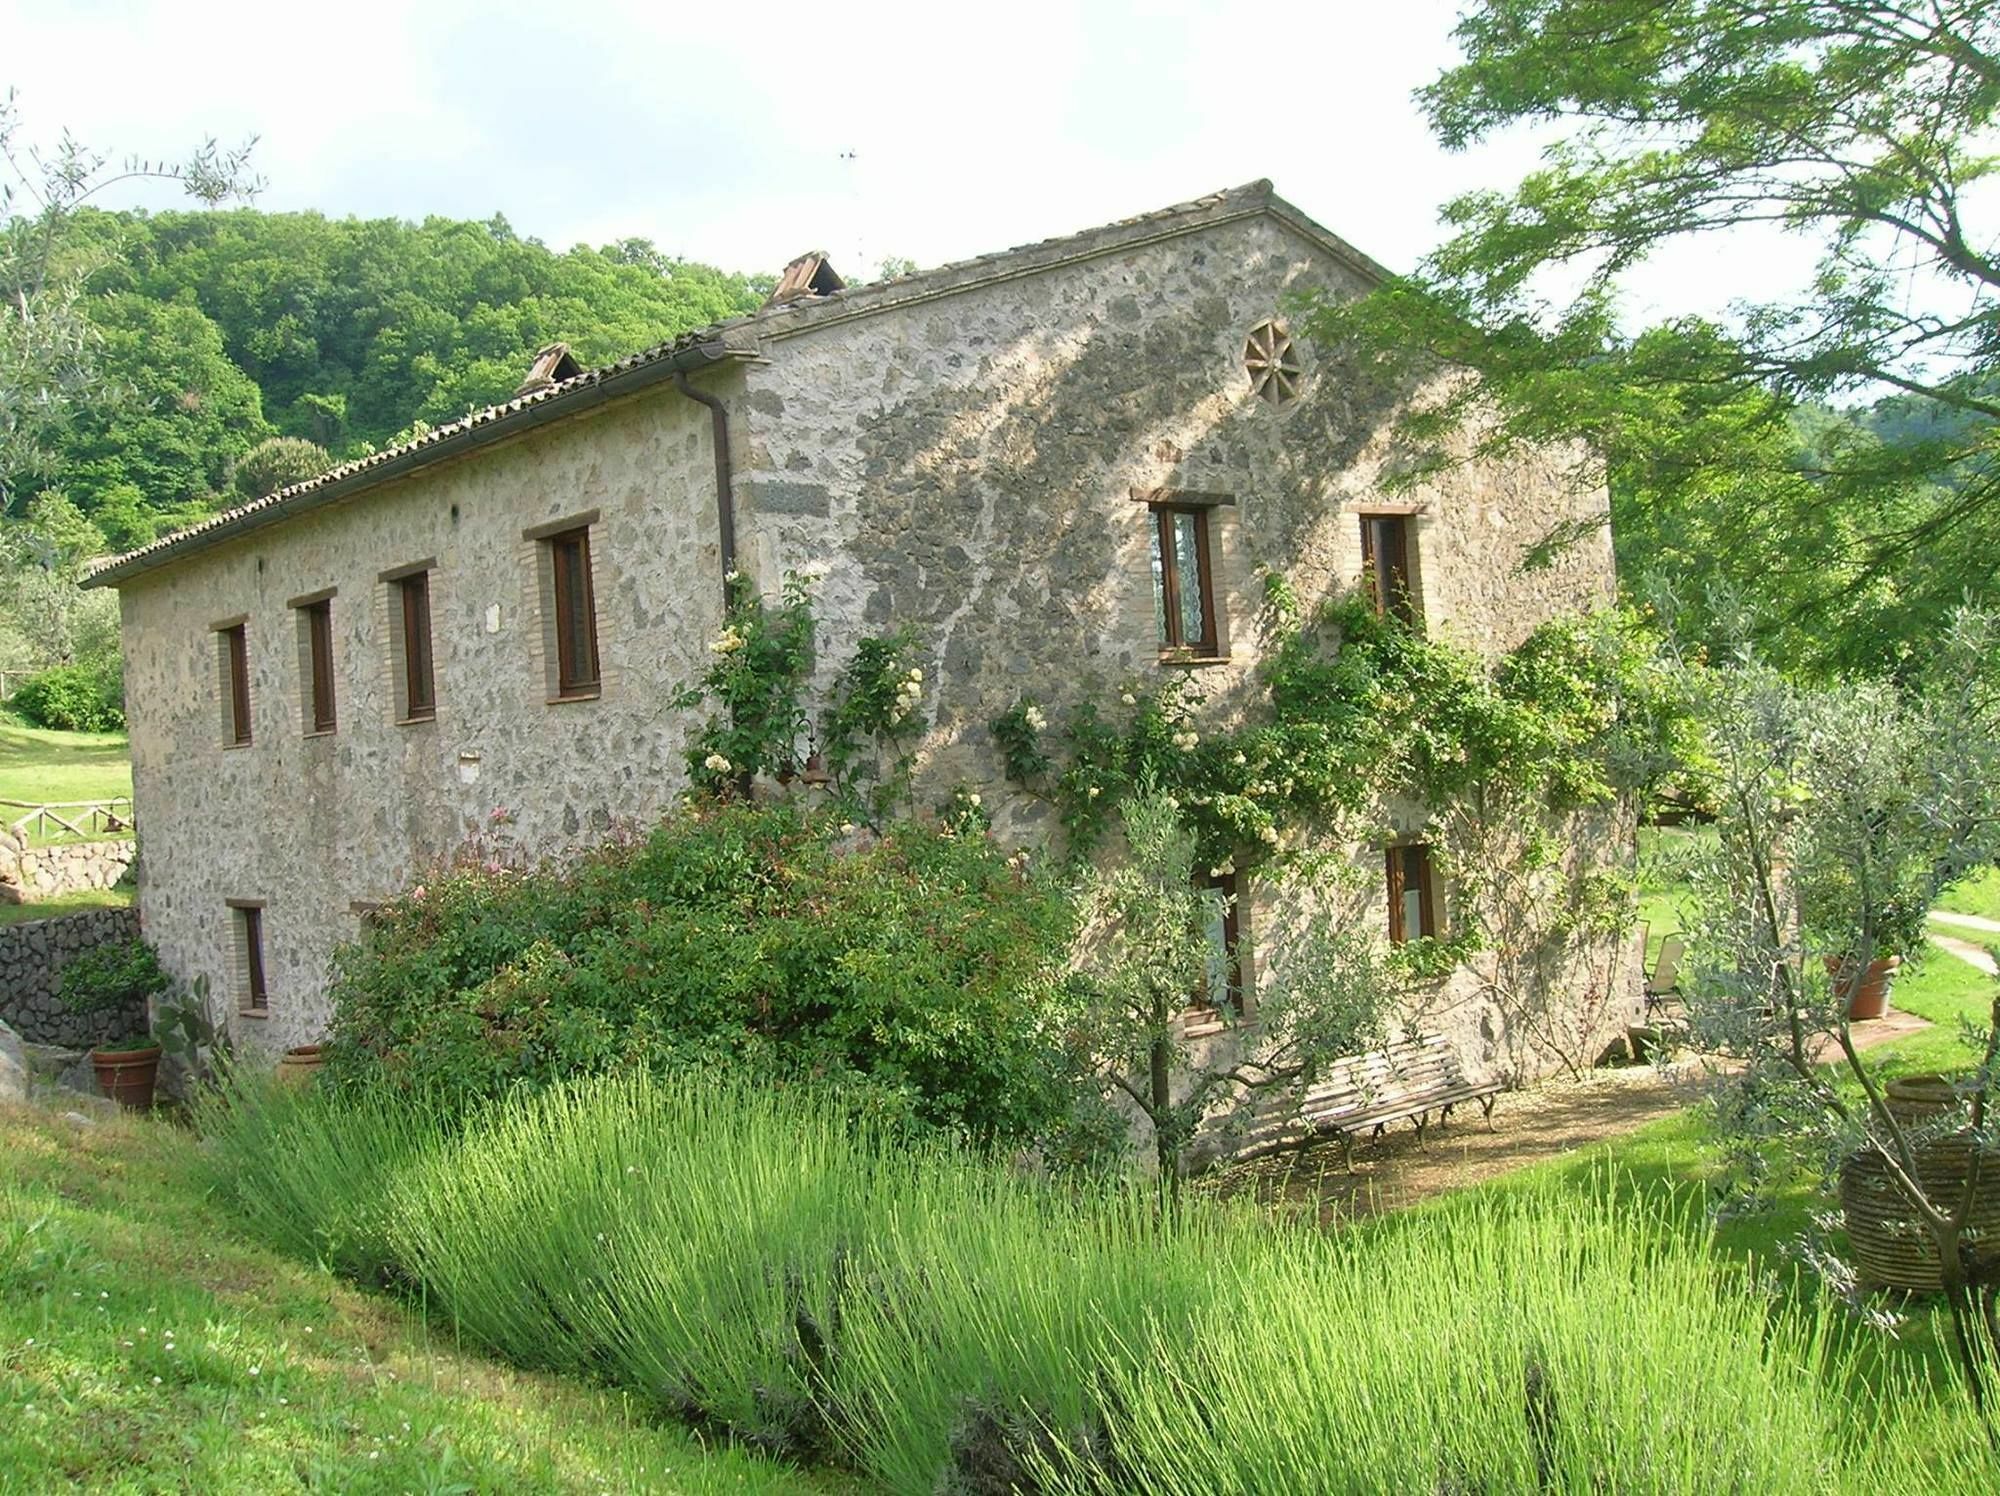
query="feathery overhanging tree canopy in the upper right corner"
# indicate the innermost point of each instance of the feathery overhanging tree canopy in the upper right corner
(1861, 129)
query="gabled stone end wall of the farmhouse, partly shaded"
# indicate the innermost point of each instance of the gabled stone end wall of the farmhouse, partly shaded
(973, 467)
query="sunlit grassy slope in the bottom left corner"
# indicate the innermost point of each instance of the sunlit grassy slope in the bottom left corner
(143, 1347)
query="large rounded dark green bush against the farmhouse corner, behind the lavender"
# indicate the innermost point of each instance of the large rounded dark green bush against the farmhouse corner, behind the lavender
(911, 973)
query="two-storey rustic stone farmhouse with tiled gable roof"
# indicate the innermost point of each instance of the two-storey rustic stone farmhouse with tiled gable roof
(1063, 465)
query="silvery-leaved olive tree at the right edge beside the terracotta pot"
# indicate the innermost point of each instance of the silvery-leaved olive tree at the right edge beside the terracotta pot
(1843, 815)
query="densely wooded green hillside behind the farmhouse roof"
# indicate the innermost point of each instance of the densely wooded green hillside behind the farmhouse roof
(225, 329)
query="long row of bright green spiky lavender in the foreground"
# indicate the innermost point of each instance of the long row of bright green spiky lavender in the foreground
(941, 1325)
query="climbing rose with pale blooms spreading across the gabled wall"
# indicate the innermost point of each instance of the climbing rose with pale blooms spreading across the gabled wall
(1359, 707)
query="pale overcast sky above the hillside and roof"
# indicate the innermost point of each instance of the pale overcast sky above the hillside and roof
(747, 133)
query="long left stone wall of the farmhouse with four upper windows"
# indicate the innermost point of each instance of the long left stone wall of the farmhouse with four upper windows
(317, 827)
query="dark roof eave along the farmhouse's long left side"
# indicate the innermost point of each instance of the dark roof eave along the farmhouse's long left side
(405, 465)
